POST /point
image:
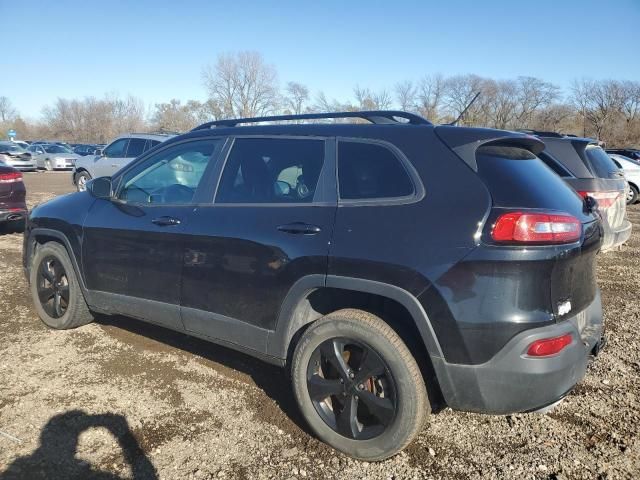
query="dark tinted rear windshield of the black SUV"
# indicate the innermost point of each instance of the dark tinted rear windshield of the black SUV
(517, 178)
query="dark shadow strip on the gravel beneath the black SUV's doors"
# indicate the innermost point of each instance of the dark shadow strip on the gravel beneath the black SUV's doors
(271, 379)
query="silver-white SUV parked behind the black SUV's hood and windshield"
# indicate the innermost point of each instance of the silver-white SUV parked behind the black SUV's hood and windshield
(114, 156)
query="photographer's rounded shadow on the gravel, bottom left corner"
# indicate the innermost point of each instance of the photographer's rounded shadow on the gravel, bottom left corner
(55, 457)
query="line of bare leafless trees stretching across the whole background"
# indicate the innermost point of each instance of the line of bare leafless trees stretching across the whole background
(243, 84)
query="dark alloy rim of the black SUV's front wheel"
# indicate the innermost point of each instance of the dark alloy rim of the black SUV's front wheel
(53, 287)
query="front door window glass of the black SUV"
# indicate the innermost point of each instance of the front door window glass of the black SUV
(169, 177)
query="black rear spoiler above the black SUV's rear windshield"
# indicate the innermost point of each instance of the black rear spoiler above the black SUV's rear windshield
(465, 141)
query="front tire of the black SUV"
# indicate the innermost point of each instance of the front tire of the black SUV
(76, 313)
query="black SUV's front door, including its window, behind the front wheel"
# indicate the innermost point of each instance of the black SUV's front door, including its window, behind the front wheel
(133, 245)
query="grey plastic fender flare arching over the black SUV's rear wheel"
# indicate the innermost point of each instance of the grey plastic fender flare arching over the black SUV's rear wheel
(288, 323)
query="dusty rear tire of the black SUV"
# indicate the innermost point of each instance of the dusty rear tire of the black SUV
(404, 386)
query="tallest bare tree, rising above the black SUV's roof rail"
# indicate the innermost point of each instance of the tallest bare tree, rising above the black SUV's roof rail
(242, 84)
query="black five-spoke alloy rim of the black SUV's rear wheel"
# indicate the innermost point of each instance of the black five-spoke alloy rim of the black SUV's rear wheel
(351, 388)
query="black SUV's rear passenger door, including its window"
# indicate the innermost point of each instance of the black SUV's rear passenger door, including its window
(269, 226)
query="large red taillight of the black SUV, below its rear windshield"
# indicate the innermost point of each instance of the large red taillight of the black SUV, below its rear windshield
(522, 227)
